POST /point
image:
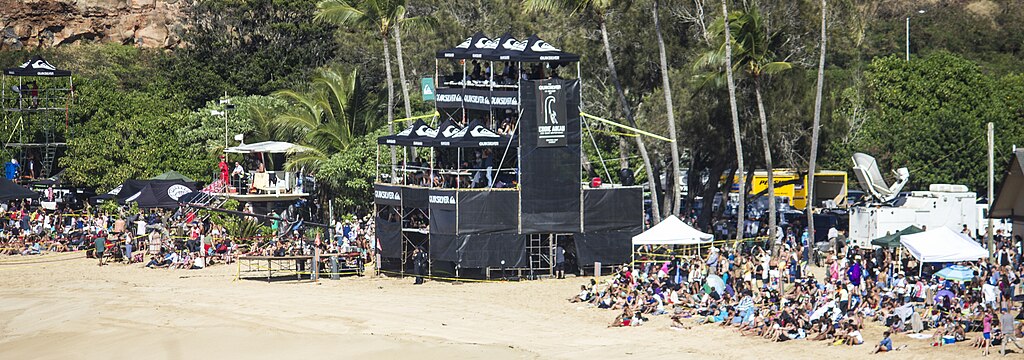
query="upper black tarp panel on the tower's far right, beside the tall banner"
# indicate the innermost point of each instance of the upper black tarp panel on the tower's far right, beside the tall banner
(613, 209)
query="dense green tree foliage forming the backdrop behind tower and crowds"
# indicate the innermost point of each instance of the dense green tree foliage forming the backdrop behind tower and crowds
(139, 113)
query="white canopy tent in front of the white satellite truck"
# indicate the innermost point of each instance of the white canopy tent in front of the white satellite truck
(943, 246)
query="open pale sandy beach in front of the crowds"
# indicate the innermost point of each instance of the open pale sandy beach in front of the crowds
(65, 307)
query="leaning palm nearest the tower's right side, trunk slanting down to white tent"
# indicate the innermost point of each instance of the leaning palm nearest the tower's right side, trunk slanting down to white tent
(599, 12)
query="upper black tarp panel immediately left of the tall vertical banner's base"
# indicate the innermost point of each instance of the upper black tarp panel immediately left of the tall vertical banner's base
(488, 212)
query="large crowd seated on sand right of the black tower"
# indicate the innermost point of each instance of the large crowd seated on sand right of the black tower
(777, 297)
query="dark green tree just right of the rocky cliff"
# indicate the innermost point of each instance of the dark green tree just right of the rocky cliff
(249, 48)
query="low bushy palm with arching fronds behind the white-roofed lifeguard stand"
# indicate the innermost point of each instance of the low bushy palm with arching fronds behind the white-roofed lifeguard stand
(327, 119)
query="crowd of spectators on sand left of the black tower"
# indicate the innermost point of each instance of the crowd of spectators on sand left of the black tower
(159, 239)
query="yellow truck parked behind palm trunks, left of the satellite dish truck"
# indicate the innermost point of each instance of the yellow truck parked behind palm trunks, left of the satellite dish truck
(829, 187)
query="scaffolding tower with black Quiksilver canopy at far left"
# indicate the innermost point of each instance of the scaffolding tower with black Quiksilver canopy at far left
(37, 99)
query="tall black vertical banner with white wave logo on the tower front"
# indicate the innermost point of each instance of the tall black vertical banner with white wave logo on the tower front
(550, 188)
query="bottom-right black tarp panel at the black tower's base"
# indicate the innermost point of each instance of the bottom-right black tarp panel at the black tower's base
(609, 248)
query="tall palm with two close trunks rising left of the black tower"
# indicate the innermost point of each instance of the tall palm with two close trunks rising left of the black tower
(382, 18)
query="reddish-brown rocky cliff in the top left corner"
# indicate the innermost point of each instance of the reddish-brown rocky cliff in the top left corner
(153, 24)
